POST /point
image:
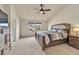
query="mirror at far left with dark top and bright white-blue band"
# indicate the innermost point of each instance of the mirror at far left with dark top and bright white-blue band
(3, 21)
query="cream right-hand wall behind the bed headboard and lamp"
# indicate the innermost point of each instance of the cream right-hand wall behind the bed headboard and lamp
(69, 14)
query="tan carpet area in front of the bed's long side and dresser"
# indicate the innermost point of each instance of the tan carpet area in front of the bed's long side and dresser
(62, 49)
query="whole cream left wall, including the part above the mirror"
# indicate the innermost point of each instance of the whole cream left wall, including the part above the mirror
(13, 20)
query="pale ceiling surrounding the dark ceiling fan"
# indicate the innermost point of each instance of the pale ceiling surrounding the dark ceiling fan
(27, 11)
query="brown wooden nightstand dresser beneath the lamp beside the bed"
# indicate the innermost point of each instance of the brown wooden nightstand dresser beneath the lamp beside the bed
(74, 41)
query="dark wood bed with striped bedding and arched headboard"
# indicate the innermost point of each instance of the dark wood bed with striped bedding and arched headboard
(58, 34)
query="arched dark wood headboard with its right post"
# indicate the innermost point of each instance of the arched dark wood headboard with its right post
(63, 26)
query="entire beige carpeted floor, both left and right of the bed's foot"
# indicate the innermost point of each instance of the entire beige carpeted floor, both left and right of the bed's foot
(29, 46)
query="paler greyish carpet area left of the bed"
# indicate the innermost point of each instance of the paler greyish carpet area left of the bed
(26, 46)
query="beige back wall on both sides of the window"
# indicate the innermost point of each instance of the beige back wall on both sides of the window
(24, 29)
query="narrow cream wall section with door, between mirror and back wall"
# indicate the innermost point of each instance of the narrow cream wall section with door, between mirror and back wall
(14, 24)
